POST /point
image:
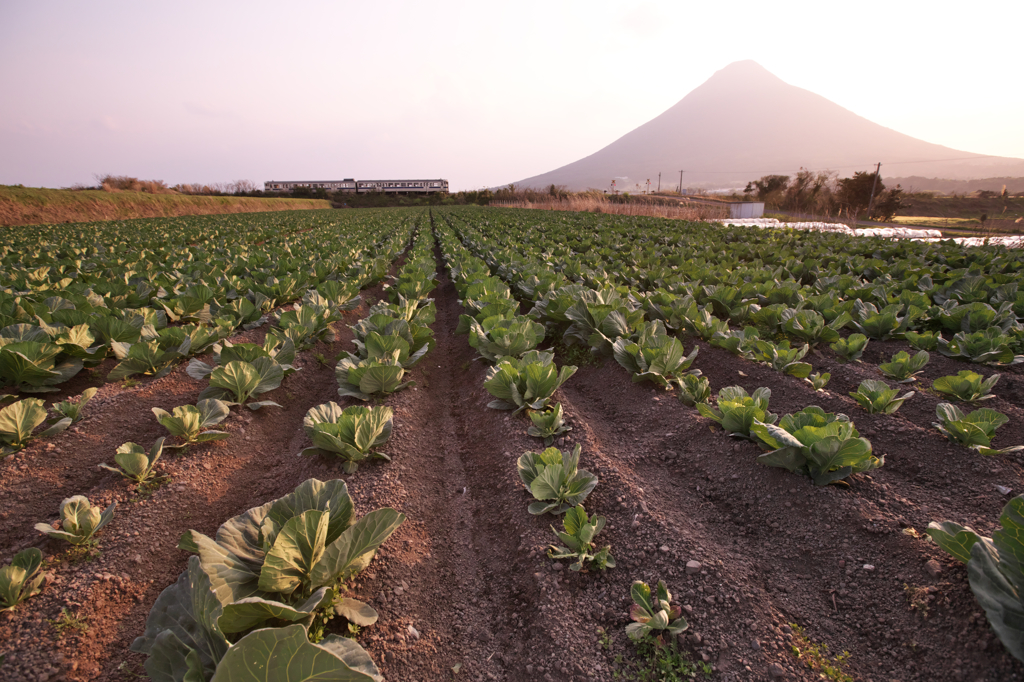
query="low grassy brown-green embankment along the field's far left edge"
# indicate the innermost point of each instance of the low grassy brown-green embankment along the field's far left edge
(28, 206)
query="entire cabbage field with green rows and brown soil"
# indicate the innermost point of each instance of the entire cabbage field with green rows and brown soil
(507, 445)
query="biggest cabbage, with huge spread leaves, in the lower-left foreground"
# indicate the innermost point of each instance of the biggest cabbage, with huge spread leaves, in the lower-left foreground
(264, 581)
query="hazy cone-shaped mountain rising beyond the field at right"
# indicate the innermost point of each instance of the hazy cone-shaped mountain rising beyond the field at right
(744, 123)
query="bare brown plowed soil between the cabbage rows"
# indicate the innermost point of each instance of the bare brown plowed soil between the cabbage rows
(464, 588)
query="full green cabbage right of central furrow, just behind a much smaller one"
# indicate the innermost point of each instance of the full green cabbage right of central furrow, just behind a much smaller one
(526, 383)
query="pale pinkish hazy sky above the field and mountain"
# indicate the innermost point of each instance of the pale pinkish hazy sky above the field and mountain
(482, 94)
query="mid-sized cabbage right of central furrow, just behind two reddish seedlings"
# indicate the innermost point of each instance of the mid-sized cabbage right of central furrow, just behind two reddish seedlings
(556, 481)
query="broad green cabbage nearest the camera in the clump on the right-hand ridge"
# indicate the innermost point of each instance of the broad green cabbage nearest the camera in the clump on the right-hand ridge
(825, 447)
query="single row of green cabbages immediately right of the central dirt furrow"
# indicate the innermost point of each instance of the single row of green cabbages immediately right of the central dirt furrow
(525, 379)
